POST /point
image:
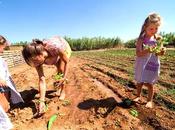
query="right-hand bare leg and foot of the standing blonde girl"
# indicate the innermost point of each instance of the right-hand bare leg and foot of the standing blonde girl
(150, 95)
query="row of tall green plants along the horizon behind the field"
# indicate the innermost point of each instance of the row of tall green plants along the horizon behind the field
(86, 43)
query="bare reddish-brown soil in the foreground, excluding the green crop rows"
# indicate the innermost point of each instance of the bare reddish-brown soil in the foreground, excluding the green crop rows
(94, 102)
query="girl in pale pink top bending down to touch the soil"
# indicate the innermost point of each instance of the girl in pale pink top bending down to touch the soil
(54, 51)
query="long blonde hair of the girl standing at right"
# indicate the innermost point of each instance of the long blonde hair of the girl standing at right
(152, 18)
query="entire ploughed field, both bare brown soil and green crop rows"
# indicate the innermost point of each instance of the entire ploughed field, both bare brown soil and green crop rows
(98, 83)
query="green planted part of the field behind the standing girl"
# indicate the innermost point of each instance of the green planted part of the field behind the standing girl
(123, 60)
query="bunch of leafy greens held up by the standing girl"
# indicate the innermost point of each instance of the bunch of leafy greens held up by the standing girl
(159, 47)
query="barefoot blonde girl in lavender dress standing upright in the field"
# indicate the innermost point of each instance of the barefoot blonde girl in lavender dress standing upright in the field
(147, 66)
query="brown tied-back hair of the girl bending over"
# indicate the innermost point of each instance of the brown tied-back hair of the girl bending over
(33, 49)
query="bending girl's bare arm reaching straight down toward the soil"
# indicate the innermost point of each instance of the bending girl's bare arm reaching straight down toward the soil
(42, 82)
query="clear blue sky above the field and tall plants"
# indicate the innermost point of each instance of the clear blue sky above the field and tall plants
(23, 20)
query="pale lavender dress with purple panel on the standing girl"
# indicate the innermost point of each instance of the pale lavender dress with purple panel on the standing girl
(147, 68)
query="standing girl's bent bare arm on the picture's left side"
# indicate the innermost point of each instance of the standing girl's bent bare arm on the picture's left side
(139, 48)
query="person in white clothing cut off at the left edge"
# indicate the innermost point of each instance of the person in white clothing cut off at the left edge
(8, 92)
